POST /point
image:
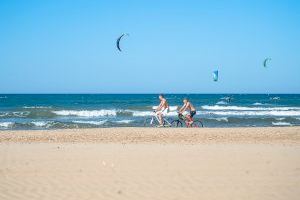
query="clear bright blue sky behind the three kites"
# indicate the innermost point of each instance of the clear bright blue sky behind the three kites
(61, 46)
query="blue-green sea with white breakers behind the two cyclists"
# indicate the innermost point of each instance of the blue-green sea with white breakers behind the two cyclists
(61, 111)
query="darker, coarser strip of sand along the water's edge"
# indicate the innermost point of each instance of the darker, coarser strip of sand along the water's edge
(284, 135)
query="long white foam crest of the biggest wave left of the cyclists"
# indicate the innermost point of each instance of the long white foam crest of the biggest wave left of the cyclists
(86, 113)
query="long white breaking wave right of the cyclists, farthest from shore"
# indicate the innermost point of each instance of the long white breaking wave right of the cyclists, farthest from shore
(244, 108)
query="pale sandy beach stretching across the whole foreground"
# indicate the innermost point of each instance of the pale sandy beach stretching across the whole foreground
(145, 163)
